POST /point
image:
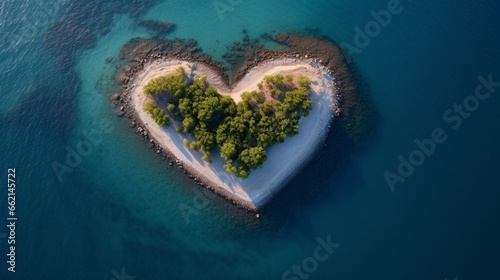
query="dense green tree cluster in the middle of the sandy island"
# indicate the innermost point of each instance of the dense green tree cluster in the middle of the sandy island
(242, 131)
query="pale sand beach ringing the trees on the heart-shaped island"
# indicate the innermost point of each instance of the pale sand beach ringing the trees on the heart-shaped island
(283, 159)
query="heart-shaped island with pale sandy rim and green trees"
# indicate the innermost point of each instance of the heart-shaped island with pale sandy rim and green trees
(298, 93)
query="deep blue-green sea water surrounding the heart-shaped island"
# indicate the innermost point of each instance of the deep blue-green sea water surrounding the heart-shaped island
(119, 208)
